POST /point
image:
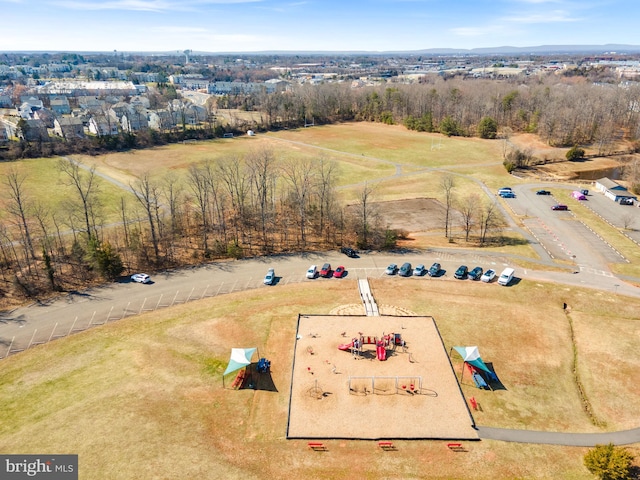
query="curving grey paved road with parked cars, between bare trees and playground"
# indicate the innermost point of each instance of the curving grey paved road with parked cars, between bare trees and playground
(41, 322)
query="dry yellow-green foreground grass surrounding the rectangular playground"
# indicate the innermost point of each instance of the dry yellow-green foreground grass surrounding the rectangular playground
(143, 397)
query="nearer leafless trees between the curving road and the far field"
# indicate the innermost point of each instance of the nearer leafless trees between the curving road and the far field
(235, 207)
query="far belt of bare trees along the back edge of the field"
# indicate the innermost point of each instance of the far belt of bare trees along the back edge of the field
(564, 111)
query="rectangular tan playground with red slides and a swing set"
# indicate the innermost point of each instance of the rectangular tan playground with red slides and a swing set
(364, 377)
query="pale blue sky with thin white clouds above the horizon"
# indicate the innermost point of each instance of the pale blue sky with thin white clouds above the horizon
(311, 25)
